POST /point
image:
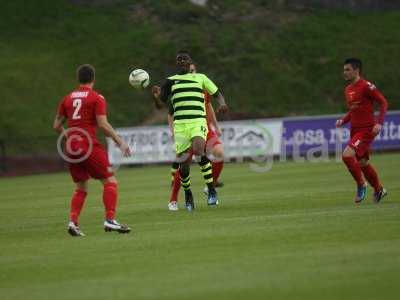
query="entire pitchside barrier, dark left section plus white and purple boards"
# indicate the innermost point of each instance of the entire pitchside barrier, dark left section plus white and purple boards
(286, 137)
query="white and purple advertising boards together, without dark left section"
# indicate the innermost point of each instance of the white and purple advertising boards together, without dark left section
(252, 138)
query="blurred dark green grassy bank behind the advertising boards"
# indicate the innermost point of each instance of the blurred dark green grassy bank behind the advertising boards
(269, 58)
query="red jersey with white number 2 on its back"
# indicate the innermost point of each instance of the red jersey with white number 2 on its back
(81, 108)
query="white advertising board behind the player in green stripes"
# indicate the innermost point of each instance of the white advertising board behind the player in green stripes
(154, 144)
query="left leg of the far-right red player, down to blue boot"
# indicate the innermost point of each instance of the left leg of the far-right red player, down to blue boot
(350, 160)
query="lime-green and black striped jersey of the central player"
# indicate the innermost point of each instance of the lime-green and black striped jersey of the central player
(186, 95)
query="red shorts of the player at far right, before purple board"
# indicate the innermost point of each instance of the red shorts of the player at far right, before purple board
(361, 140)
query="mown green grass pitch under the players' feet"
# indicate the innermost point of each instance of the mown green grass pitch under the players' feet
(292, 233)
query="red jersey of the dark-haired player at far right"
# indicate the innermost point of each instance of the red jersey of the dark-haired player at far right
(360, 98)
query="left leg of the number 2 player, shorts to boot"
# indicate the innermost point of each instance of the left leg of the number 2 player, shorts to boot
(80, 177)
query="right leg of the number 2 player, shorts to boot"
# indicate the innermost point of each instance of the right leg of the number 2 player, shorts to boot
(99, 167)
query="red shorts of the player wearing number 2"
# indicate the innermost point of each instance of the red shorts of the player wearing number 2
(96, 165)
